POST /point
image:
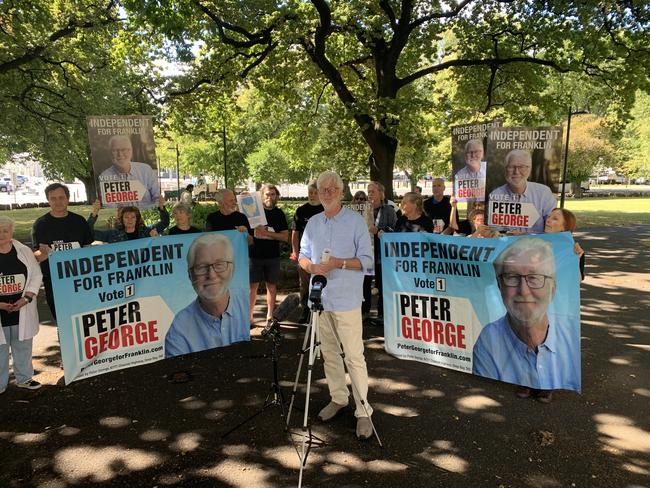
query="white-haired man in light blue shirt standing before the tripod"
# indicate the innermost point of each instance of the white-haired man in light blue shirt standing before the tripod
(345, 233)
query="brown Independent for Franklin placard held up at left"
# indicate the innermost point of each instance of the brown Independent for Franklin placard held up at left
(124, 160)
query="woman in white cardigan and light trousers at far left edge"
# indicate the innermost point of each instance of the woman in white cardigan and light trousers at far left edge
(20, 281)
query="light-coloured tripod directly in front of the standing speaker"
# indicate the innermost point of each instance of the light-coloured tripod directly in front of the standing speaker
(313, 332)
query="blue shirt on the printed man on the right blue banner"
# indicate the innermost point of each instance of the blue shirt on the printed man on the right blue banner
(499, 354)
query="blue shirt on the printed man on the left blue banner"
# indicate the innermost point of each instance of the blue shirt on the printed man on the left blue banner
(193, 329)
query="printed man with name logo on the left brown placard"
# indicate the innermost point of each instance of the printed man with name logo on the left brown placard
(127, 182)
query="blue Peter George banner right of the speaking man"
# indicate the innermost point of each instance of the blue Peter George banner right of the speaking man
(506, 308)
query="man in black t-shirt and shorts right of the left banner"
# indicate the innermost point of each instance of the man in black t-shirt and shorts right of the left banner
(265, 253)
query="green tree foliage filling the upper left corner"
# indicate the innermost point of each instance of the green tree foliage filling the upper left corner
(59, 62)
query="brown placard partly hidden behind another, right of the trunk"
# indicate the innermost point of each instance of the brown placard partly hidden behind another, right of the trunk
(468, 160)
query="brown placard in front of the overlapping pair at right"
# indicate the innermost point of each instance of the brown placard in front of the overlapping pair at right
(523, 173)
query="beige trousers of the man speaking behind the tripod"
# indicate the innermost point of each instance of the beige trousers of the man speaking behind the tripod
(348, 325)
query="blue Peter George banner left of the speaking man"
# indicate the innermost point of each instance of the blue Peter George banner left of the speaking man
(130, 303)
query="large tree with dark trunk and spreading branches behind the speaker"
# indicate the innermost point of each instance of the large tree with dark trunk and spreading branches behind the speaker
(370, 51)
